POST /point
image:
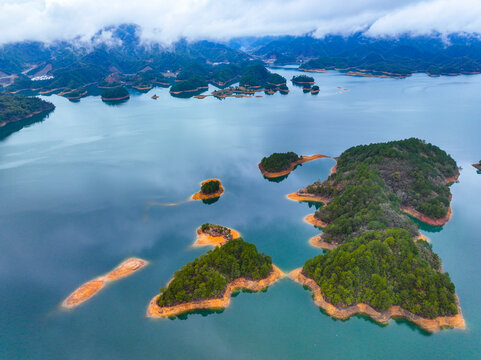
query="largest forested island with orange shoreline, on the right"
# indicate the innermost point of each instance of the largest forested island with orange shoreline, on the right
(378, 260)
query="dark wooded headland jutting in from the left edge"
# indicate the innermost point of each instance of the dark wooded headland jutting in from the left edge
(17, 107)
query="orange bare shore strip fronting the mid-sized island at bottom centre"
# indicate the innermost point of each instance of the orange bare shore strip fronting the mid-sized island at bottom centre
(154, 310)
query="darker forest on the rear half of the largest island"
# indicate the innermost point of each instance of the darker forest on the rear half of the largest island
(373, 182)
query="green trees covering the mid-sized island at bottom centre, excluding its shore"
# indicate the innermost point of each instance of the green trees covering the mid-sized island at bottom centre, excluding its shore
(207, 276)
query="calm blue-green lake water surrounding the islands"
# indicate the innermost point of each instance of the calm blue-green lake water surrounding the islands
(75, 191)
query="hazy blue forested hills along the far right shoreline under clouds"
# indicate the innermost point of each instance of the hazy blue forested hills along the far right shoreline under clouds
(435, 55)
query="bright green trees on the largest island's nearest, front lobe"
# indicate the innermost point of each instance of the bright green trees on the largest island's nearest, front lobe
(382, 269)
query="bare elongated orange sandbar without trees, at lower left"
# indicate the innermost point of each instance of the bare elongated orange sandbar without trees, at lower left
(89, 289)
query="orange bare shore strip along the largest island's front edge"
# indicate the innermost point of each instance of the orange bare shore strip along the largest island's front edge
(430, 325)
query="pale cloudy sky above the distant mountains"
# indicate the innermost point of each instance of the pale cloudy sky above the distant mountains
(165, 21)
